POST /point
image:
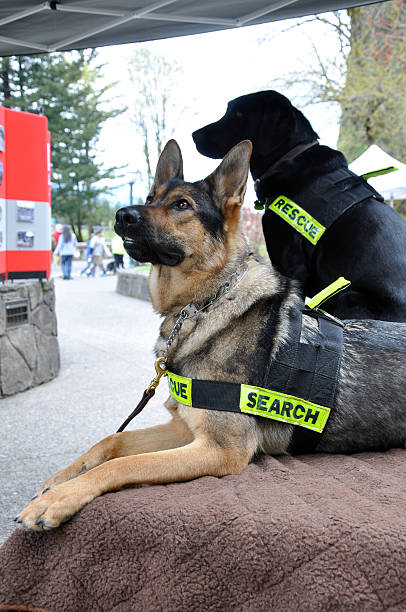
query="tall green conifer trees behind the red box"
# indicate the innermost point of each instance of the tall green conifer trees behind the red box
(63, 86)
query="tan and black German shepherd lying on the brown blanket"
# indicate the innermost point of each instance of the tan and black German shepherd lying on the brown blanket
(190, 233)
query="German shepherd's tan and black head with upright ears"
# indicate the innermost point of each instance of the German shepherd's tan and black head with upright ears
(186, 224)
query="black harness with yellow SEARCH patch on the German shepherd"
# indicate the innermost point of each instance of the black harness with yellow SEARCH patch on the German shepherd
(300, 373)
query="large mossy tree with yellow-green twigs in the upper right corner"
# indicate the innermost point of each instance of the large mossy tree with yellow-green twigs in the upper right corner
(367, 77)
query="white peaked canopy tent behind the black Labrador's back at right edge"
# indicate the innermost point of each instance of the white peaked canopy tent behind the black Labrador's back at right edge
(392, 186)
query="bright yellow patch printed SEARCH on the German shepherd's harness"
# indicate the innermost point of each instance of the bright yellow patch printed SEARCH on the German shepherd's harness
(282, 407)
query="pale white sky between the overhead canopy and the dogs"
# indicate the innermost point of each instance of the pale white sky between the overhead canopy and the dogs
(216, 67)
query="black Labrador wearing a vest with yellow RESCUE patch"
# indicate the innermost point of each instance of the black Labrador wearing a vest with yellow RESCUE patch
(321, 220)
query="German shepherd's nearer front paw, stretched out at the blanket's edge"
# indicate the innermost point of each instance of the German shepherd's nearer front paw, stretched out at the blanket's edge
(54, 507)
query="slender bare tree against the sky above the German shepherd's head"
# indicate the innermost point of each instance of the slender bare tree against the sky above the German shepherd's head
(153, 109)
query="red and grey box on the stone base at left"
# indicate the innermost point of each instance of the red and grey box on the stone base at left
(25, 195)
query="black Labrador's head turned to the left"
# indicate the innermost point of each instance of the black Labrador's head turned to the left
(267, 119)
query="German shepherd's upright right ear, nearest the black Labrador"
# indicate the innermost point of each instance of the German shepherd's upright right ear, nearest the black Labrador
(229, 181)
